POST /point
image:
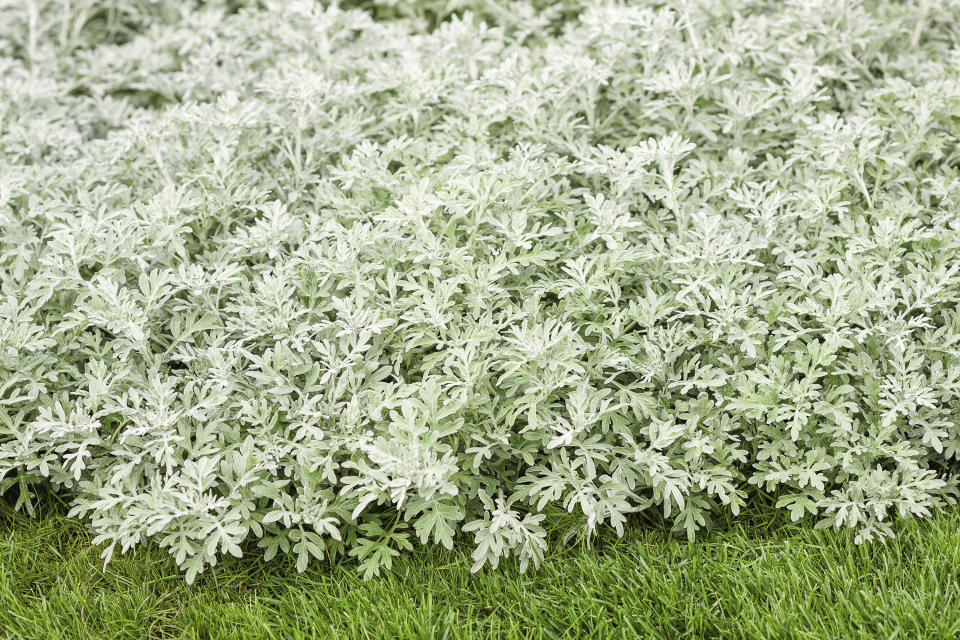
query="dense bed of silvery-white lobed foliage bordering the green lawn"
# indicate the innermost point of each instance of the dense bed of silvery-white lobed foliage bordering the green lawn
(334, 280)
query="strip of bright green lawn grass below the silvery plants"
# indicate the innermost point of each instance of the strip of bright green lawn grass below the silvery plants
(760, 578)
